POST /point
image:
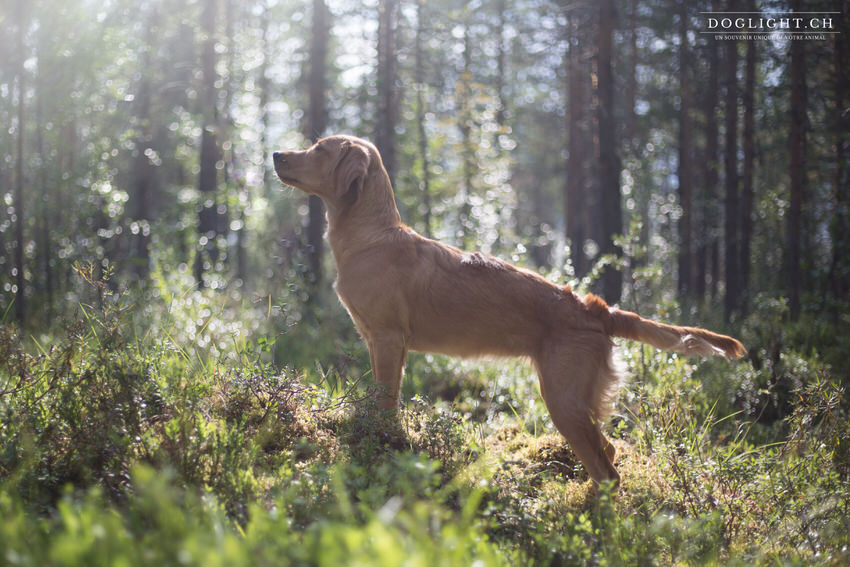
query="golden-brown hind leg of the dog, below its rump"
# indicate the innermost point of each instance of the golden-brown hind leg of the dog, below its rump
(574, 380)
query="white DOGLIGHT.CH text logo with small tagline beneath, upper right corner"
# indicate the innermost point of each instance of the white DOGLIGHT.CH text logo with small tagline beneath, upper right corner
(770, 25)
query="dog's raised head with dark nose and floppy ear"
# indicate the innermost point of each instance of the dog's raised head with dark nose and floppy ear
(334, 168)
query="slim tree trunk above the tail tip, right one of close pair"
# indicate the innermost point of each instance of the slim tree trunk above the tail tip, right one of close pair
(748, 181)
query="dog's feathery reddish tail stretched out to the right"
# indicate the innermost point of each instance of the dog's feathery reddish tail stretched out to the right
(690, 341)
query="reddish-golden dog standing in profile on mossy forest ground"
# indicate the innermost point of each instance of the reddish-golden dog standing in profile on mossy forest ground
(406, 292)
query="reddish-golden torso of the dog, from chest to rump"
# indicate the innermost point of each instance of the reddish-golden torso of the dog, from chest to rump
(457, 303)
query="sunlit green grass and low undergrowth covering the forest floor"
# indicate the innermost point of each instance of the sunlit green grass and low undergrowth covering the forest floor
(181, 445)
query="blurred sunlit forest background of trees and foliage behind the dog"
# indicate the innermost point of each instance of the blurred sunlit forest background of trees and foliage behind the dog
(138, 140)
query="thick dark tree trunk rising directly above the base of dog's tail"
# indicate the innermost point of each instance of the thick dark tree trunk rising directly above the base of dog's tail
(609, 163)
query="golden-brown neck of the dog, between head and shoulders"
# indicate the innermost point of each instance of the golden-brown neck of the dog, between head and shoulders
(360, 225)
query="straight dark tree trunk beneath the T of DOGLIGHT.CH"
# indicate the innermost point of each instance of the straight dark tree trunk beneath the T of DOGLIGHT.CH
(797, 141)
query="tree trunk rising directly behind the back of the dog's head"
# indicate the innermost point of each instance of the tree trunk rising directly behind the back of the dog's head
(387, 89)
